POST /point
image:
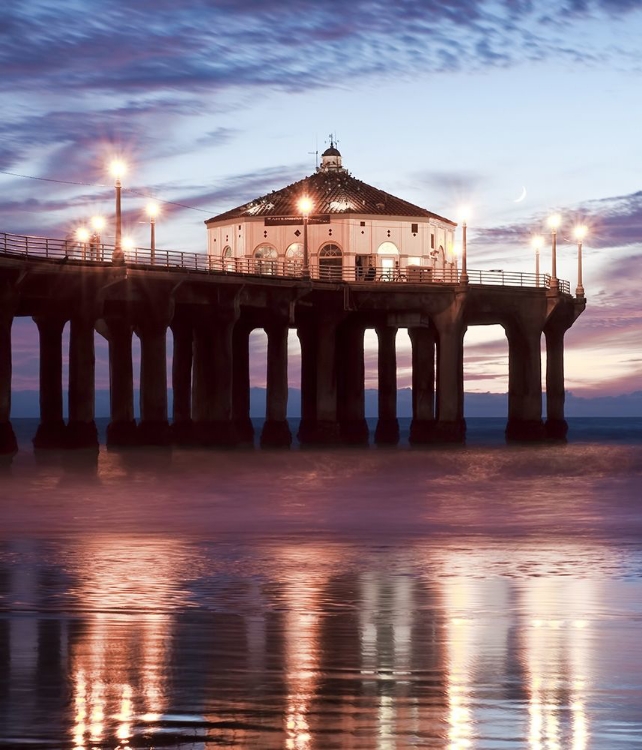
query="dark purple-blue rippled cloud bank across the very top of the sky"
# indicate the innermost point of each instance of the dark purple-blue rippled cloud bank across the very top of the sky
(201, 46)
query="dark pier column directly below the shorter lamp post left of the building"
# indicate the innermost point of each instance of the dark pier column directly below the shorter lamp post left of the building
(154, 427)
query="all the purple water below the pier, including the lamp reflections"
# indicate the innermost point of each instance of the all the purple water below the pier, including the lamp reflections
(463, 597)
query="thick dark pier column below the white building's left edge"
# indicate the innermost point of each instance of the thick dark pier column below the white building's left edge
(212, 389)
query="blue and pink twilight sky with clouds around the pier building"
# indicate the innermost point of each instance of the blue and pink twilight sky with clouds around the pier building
(214, 103)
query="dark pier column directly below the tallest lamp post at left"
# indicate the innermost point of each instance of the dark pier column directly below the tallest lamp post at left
(121, 429)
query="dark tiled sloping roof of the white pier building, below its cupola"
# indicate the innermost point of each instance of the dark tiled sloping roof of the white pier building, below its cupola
(332, 191)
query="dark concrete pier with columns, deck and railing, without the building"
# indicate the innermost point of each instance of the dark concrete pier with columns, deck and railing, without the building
(212, 307)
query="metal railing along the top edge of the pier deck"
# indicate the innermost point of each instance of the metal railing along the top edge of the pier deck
(74, 252)
